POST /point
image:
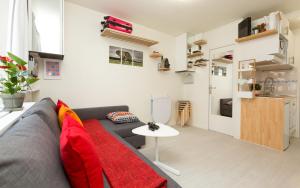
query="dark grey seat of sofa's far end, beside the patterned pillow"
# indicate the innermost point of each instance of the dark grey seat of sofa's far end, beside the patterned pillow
(124, 130)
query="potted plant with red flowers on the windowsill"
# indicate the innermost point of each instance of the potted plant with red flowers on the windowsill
(15, 83)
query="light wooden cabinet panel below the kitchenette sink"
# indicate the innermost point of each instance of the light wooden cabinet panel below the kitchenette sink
(264, 121)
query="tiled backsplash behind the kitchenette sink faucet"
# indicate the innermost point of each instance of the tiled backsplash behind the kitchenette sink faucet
(285, 82)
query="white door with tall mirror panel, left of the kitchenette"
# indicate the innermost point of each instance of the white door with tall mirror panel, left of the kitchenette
(221, 90)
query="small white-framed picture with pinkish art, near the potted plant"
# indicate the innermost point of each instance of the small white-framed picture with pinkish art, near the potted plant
(52, 69)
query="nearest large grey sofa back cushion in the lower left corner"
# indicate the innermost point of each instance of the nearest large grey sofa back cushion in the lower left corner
(29, 156)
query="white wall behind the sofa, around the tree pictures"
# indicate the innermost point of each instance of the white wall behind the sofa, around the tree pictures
(89, 80)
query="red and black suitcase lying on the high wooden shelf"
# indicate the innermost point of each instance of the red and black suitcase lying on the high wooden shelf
(116, 24)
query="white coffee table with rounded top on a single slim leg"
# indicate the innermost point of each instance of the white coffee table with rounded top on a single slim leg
(163, 131)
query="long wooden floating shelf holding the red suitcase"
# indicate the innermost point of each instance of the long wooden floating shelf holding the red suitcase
(128, 37)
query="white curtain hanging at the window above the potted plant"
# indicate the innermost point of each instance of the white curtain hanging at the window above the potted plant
(18, 33)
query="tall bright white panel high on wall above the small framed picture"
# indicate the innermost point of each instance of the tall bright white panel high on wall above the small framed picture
(47, 26)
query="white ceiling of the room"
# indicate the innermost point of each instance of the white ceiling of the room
(177, 16)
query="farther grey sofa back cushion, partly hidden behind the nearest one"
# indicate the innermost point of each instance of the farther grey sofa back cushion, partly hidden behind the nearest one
(46, 110)
